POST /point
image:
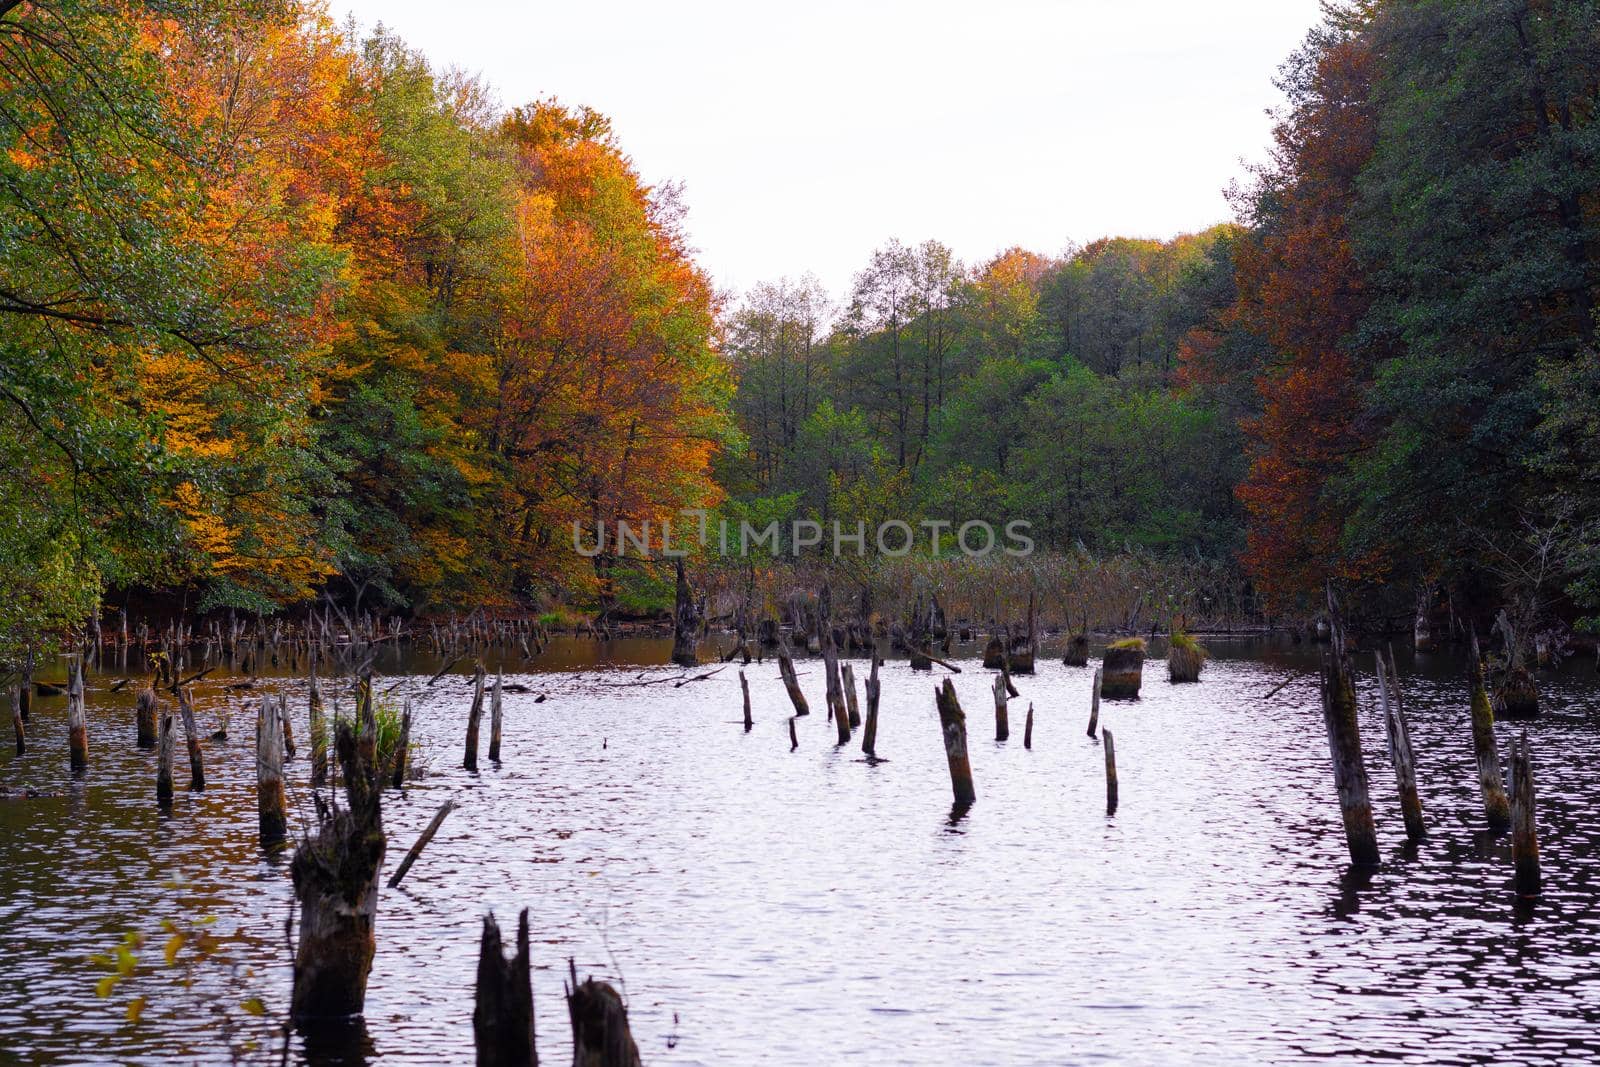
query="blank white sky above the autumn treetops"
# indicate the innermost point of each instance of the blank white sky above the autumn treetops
(810, 134)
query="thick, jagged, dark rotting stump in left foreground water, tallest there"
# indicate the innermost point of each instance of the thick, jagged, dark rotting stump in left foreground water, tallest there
(337, 884)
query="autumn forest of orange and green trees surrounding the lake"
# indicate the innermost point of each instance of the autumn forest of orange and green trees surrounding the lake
(294, 316)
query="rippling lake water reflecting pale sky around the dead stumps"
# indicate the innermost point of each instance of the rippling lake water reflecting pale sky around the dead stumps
(766, 906)
